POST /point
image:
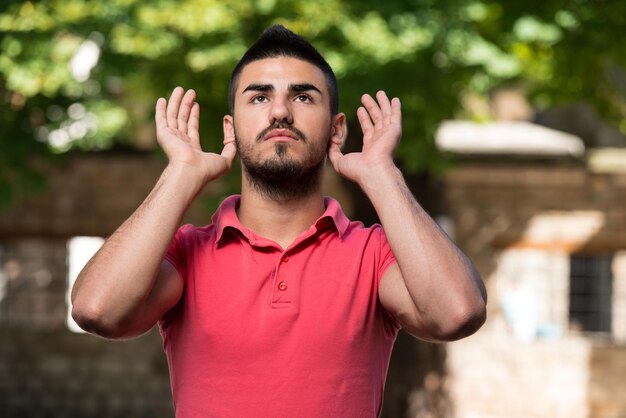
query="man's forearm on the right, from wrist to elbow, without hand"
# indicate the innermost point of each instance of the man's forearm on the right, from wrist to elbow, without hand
(443, 284)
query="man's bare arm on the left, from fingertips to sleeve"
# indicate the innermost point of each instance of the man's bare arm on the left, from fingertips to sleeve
(127, 286)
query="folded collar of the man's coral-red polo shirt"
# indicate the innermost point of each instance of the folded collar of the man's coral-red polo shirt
(226, 217)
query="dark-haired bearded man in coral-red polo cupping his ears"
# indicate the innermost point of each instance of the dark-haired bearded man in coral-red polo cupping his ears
(281, 307)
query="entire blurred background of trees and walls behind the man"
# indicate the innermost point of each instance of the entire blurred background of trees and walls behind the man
(514, 122)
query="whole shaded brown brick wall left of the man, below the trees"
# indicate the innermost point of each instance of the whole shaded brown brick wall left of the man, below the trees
(45, 369)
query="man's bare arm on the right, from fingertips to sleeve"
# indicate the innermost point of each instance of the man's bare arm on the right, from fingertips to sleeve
(434, 290)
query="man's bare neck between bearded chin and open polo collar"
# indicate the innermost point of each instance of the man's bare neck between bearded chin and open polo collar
(280, 220)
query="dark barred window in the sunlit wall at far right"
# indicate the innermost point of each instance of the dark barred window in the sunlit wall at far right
(591, 293)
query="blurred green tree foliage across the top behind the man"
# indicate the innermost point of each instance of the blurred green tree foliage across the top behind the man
(84, 74)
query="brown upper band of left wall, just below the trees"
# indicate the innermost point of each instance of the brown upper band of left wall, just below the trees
(92, 194)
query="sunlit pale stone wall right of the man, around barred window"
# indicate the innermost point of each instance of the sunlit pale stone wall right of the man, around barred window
(520, 221)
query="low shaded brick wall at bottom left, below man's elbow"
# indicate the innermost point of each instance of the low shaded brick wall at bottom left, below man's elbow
(60, 374)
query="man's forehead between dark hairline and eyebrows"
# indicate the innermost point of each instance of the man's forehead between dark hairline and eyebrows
(281, 72)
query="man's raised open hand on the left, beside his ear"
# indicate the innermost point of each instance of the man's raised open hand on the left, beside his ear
(177, 123)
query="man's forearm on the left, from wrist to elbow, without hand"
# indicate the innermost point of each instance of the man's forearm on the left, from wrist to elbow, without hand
(120, 277)
